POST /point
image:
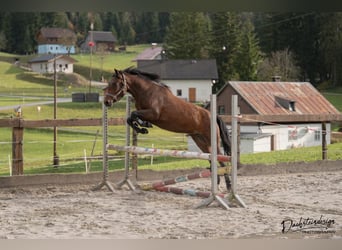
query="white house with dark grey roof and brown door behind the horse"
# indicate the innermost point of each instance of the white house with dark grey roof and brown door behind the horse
(188, 79)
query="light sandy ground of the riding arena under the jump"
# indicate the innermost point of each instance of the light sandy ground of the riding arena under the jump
(304, 198)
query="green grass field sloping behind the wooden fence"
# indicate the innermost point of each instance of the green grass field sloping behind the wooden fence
(19, 87)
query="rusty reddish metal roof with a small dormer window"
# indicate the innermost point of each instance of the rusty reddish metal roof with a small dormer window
(271, 98)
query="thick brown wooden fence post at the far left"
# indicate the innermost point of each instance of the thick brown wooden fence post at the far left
(17, 150)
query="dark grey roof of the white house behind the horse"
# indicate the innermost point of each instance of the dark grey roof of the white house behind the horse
(180, 69)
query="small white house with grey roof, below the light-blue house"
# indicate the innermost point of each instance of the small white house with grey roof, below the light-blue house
(46, 64)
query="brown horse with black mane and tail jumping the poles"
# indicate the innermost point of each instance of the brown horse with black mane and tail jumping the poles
(155, 104)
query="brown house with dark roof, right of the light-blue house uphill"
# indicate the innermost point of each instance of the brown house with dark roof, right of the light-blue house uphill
(100, 41)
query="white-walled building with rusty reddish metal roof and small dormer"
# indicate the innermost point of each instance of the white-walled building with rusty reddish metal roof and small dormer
(293, 99)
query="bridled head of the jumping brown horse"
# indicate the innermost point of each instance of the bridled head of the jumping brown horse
(116, 89)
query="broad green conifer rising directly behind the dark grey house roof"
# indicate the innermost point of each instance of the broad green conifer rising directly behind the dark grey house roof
(187, 36)
